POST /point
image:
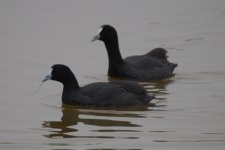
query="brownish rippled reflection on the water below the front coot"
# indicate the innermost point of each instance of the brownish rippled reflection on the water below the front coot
(66, 128)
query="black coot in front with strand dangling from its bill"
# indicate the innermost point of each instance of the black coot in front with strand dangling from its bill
(114, 93)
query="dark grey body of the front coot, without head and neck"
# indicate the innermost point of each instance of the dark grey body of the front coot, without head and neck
(107, 94)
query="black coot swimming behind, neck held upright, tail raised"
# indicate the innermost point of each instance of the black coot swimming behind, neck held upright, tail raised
(151, 66)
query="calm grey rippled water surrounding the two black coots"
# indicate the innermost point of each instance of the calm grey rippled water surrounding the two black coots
(189, 111)
